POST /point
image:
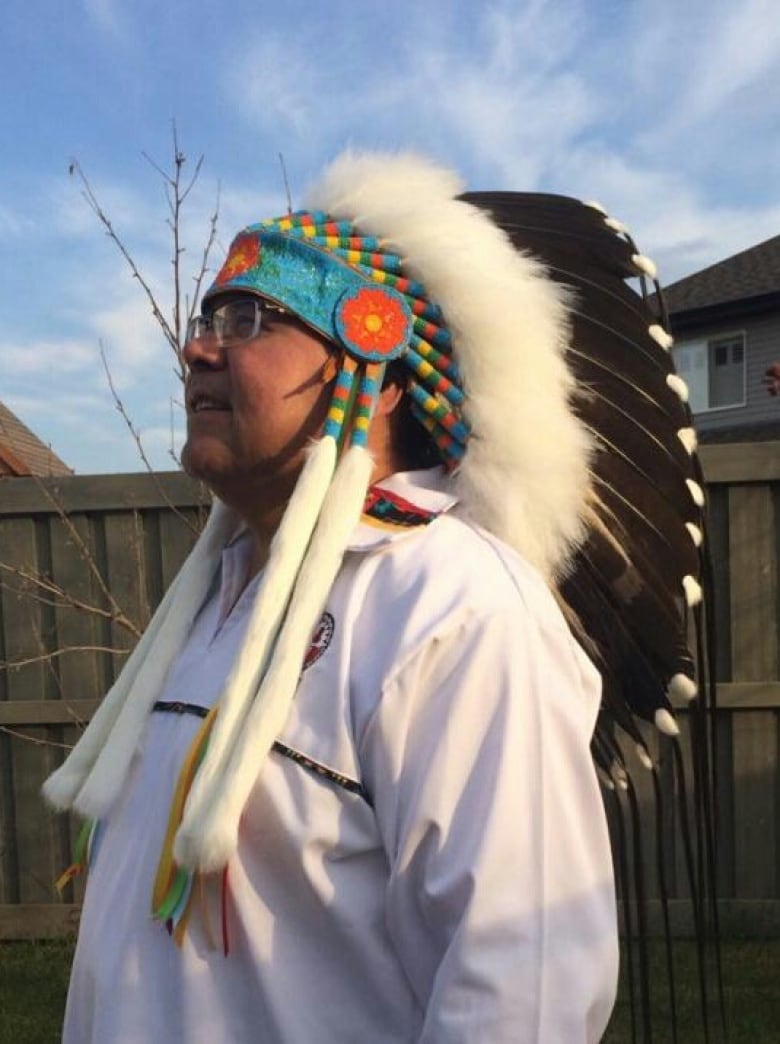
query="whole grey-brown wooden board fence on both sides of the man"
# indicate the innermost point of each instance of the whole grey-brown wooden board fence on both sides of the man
(121, 544)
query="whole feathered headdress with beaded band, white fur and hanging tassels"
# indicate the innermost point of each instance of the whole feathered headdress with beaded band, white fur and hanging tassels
(547, 384)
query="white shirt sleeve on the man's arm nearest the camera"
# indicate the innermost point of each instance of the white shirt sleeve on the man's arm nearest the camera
(501, 899)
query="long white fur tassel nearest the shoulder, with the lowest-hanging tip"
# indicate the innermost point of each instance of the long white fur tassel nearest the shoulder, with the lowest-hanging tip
(208, 836)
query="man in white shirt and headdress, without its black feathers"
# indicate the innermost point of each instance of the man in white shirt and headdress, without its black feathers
(348, 767)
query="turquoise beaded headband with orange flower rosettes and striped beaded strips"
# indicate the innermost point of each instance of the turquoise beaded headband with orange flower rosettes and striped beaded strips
(351, 289)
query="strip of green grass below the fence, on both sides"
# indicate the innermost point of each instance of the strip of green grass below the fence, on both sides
(34, 983)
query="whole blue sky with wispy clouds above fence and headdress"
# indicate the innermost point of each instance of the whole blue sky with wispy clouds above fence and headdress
(668, 113)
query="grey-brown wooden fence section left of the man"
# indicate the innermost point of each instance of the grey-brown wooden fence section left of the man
(111, 543)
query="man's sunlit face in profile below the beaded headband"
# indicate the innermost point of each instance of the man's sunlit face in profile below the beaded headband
(253, 406)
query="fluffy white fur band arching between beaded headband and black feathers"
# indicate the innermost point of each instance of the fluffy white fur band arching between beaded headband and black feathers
(518, 384)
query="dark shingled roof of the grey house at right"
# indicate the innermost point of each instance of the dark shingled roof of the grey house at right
(751, 274)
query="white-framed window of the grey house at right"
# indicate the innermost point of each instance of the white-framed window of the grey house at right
(714, 370)
